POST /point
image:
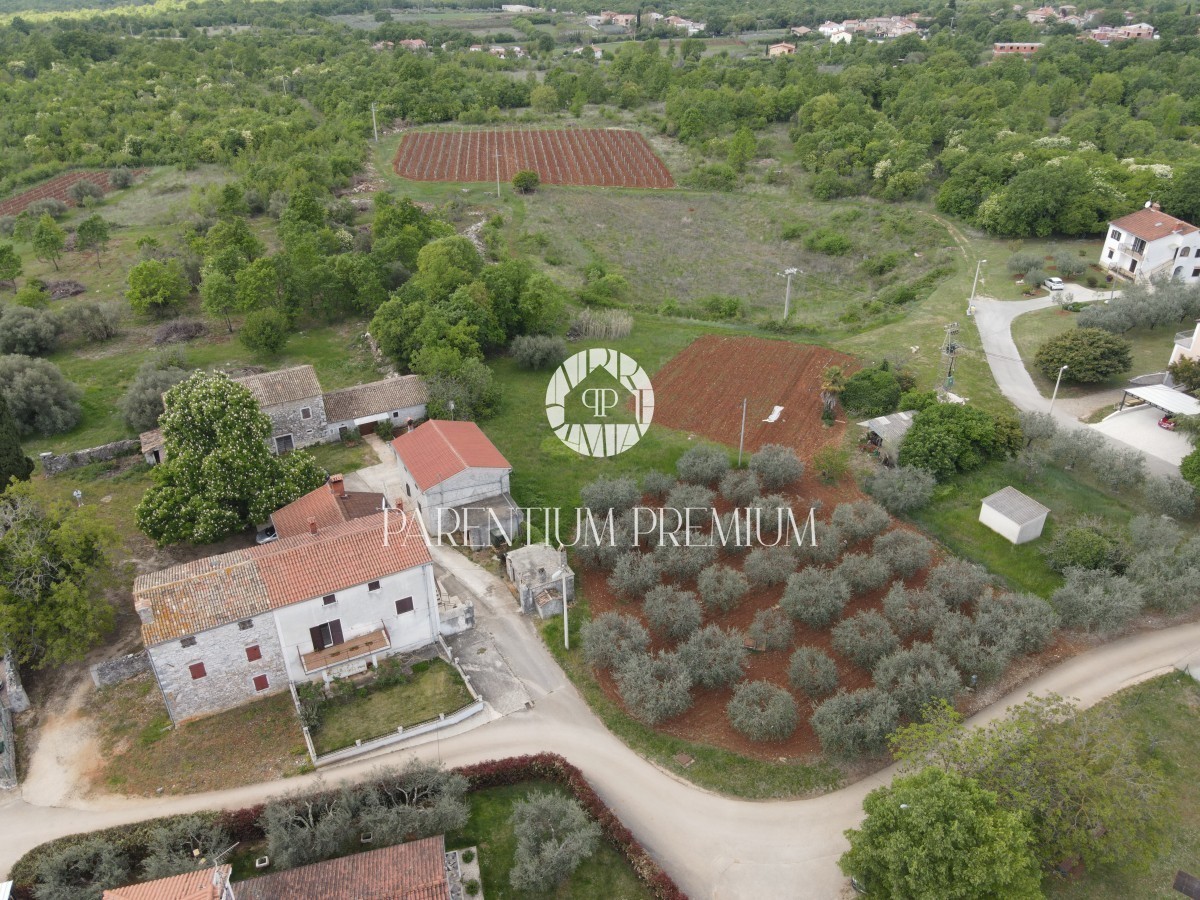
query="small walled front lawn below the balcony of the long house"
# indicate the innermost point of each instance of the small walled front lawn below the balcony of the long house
(434, 688)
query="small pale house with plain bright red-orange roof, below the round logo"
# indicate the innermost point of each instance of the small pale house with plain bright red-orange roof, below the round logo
(459, 482)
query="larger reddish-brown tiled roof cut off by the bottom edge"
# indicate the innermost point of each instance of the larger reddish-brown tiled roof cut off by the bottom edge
(406, 872)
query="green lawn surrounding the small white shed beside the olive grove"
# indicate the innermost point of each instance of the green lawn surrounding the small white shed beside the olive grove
(953, 519)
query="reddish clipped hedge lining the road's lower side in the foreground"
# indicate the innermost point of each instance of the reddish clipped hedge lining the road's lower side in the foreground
(244, 824)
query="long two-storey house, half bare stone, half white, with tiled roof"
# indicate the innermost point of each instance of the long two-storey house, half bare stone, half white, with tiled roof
(224, 631)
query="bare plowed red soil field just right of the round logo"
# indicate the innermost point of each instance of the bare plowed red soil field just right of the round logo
(701, 389)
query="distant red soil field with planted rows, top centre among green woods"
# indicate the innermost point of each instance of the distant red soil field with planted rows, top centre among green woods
(569, 157)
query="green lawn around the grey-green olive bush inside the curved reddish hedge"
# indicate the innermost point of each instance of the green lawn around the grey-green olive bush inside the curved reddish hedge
(605, 877)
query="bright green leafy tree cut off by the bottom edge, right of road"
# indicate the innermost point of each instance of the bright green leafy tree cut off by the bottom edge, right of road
(939, 836)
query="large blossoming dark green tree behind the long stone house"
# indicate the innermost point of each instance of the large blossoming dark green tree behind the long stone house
(219, 477)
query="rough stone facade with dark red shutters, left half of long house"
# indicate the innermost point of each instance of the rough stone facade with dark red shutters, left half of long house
(230, 675)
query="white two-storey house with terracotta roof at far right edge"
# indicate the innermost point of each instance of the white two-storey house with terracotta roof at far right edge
(1150, 243)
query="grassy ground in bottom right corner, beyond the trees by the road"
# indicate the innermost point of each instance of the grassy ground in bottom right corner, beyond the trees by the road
(1166, 713)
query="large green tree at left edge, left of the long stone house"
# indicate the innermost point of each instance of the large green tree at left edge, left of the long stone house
(55, 567)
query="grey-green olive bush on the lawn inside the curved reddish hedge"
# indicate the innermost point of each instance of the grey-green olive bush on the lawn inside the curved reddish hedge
(555, 836)
